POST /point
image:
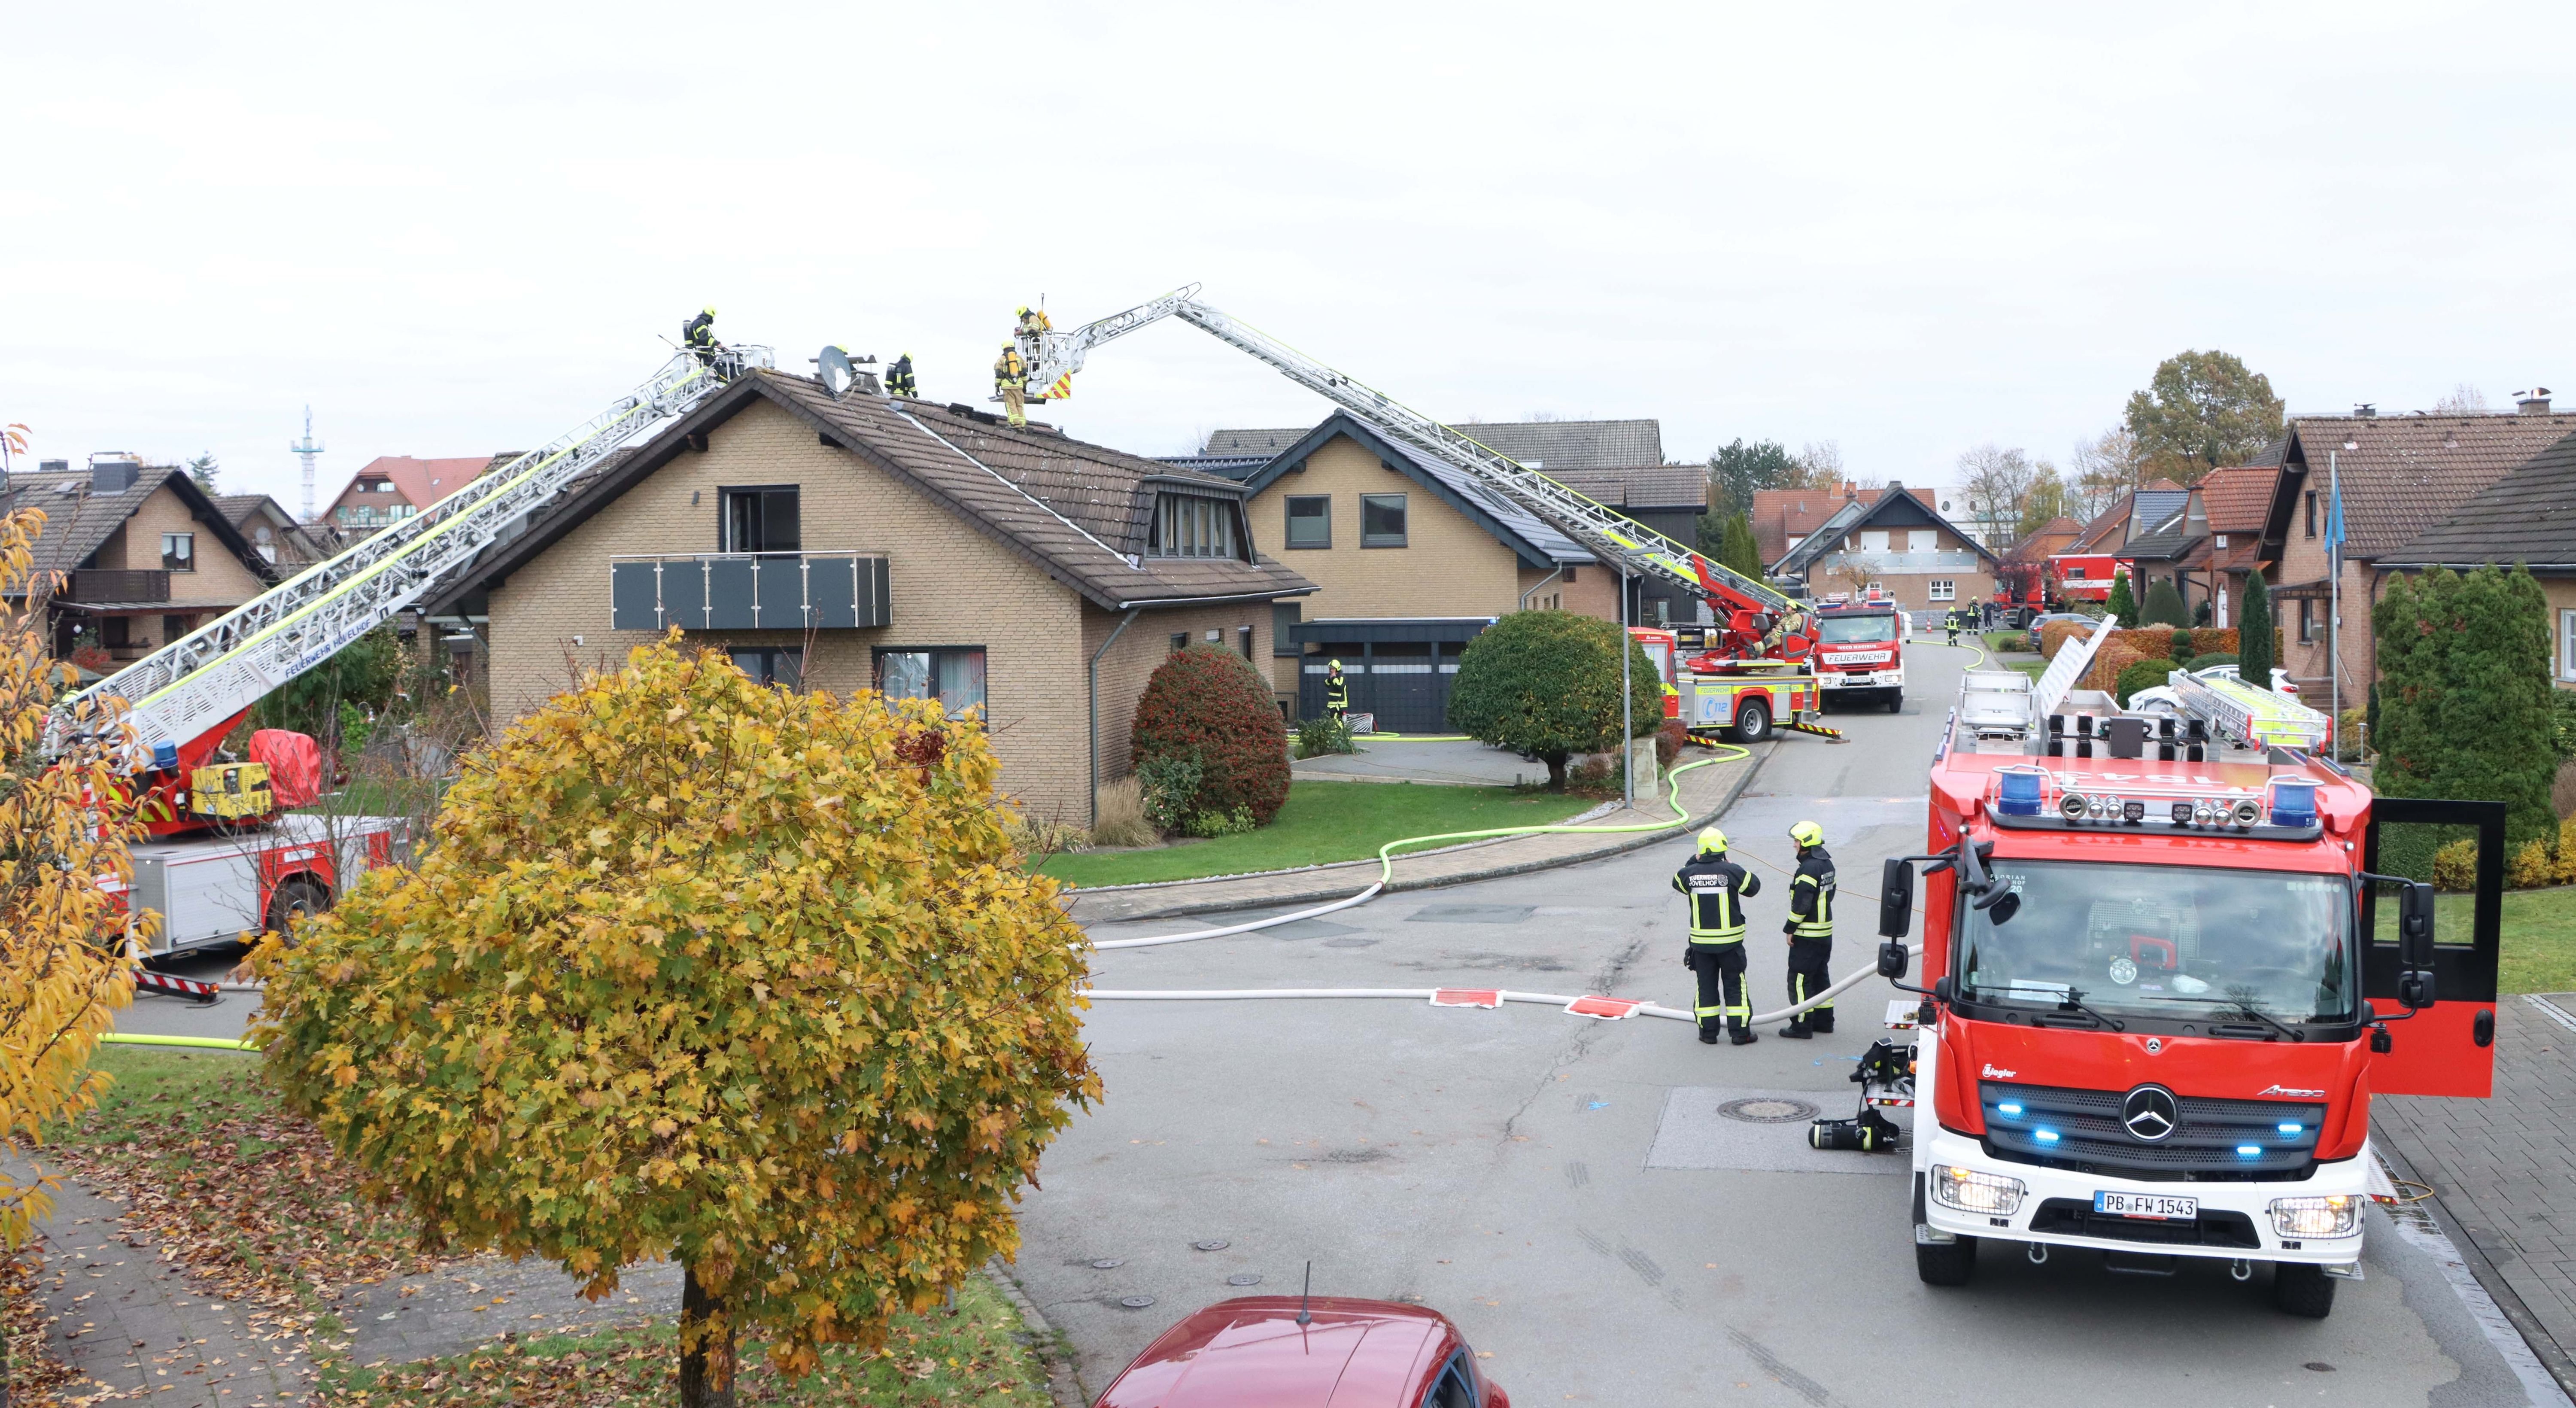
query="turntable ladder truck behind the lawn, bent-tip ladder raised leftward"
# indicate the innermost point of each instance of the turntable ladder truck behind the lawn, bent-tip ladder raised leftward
(1758, 680)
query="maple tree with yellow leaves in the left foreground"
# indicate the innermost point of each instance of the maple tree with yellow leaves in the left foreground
(710, 971)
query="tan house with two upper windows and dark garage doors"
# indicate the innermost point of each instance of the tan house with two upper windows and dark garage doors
(1410, 558)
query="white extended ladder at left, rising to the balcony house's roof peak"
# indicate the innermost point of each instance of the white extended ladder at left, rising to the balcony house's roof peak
(225, 667)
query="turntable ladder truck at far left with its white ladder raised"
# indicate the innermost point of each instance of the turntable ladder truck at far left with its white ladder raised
(225, 852)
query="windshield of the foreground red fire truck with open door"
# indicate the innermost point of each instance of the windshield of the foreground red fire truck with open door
(2165, 943)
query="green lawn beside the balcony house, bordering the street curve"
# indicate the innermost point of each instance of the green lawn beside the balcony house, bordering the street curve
(1325, 821)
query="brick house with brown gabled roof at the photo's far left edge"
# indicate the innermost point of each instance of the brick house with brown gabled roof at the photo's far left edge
(133, 556)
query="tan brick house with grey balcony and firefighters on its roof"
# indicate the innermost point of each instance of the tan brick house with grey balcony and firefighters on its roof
(864, 543)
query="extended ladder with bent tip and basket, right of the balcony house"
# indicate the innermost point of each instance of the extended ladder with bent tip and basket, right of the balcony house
(1052, 357)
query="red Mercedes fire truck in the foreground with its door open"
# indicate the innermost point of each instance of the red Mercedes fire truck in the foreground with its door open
(2163, 984)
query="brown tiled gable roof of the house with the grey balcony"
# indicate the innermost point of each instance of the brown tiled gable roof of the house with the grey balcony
(1073, 509)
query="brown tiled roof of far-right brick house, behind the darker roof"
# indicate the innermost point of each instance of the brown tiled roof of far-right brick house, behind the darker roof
(2407, 473)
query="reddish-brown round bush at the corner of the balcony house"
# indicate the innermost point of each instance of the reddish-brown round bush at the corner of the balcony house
(1215, 708)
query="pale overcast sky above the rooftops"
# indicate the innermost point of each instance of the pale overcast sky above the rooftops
(1905, 228)
